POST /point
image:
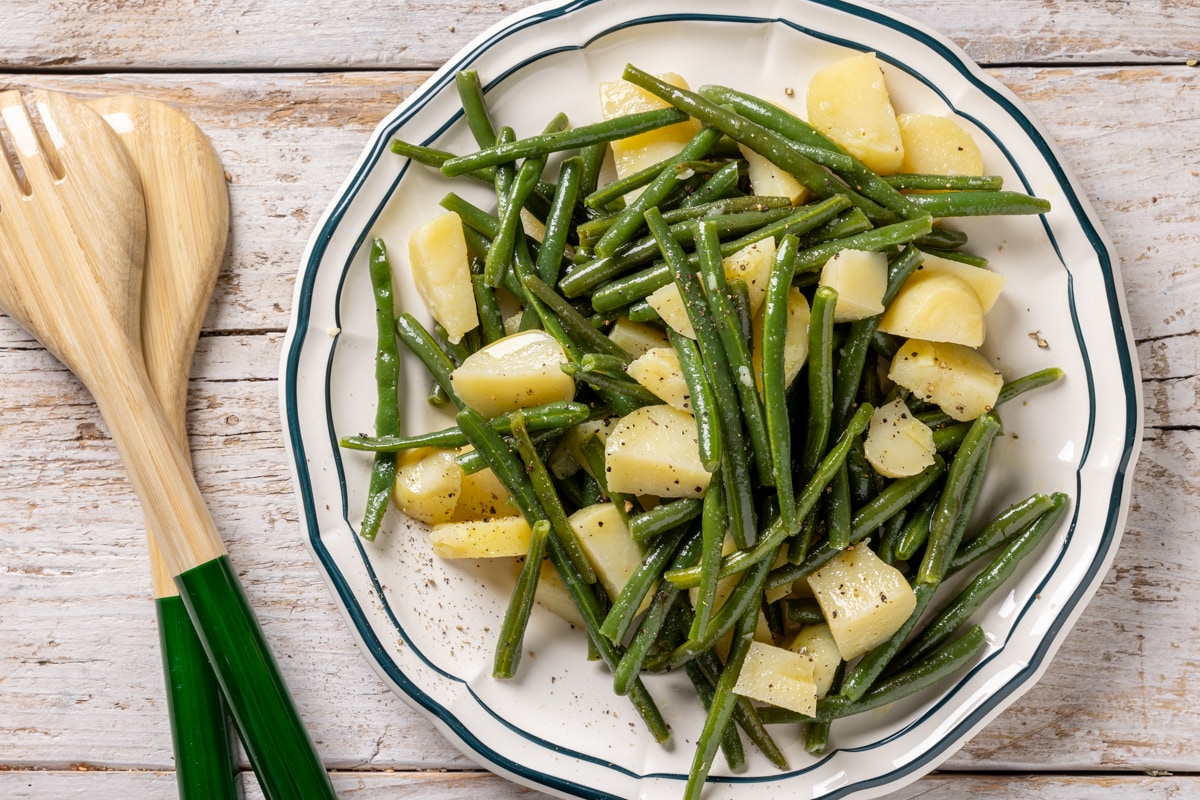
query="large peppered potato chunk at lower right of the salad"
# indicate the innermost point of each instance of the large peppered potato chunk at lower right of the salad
(863, 599)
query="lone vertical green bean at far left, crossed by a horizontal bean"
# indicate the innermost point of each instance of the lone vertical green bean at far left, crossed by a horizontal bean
(383, 467)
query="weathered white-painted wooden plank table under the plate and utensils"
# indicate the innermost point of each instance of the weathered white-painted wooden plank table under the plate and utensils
(289, 93)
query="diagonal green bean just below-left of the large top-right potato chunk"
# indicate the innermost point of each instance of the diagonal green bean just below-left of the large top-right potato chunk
(817, 147)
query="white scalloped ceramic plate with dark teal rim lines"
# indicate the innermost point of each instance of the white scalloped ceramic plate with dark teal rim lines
(429, 625)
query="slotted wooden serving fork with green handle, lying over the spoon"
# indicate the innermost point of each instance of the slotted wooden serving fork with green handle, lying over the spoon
(73, 243)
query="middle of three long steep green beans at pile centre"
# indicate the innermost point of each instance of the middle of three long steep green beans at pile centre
(737, 348)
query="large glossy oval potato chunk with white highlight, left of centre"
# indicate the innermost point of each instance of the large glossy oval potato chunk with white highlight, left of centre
(518, 371)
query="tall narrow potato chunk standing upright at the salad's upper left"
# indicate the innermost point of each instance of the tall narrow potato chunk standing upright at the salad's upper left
(441, 269)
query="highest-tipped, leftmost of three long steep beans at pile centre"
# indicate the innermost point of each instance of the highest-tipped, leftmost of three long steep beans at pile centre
(735, 465)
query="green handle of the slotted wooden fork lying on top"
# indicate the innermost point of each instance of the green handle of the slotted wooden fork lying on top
(280, 750)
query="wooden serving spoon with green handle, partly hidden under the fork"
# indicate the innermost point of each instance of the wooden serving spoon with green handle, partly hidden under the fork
(188, 224)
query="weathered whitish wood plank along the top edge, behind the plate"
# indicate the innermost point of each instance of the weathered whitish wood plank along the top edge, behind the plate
(383, 35)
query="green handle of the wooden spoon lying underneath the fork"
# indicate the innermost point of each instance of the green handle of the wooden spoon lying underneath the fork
(205, 766)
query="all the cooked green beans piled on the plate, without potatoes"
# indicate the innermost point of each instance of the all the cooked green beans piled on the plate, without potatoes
(791, 485)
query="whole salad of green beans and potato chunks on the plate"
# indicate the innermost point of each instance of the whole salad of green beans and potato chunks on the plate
(717, 395)
